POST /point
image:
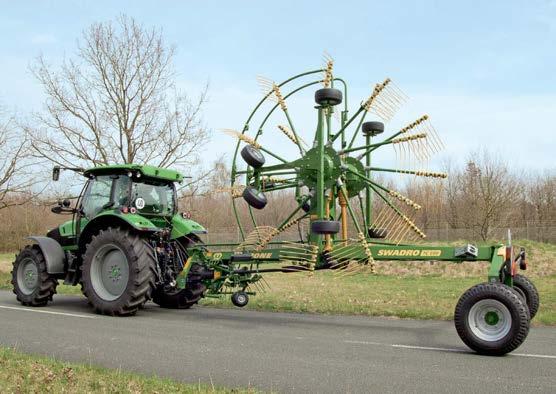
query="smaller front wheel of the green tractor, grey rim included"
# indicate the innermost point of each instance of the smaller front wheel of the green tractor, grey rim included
(30, 280)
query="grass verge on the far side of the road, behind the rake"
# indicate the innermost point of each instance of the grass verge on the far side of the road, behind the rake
(419, 290)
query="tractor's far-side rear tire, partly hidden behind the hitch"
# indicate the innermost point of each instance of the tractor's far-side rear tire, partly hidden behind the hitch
(181, 299)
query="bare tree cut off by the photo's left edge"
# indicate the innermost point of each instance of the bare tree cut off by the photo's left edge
(15, 176)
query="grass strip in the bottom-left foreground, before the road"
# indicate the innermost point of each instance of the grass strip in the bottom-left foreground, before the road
(20, 373)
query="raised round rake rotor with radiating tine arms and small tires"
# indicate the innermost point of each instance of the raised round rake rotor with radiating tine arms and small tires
(331, 178)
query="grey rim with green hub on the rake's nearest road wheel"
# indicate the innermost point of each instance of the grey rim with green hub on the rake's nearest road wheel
(490, 320)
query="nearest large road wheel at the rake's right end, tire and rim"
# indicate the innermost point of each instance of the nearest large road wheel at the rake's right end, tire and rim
(502, 327)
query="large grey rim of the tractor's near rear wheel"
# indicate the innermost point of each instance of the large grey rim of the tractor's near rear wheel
(109, 272)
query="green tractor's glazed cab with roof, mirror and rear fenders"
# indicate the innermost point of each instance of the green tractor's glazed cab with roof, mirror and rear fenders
(140, 196)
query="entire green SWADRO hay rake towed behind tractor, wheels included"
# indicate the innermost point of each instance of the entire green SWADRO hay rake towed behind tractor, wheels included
(353, 219)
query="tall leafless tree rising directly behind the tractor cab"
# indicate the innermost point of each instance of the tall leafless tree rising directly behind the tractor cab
(116, 101)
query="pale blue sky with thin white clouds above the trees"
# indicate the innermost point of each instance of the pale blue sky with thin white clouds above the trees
(483, 70)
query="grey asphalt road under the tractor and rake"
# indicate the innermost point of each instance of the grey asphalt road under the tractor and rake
(278, 351)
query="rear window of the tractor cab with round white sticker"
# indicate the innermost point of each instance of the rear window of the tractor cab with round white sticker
(153, 198)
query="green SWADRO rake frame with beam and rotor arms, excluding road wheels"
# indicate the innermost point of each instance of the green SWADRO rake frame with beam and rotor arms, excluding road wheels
(330, 175)
